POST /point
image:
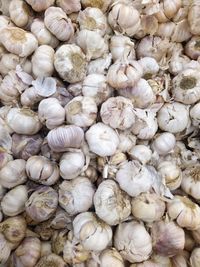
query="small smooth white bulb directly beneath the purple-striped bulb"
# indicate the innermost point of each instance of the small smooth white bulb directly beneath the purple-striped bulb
(71, 164)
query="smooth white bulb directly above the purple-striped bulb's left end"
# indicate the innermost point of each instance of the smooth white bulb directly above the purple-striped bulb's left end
(51, 113)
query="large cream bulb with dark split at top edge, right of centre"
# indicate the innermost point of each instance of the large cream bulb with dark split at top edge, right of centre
(124, 18)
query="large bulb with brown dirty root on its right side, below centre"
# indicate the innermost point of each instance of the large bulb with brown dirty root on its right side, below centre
(112, 205)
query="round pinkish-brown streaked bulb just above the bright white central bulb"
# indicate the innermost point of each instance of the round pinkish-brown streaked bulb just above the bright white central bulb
(117, 112)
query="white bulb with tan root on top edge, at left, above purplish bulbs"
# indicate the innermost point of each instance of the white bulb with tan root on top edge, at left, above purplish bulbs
(23, 121)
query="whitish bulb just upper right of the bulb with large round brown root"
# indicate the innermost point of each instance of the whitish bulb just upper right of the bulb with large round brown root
(92, 43)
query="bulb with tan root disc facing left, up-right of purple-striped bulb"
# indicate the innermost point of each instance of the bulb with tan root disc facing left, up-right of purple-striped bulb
(81, 111)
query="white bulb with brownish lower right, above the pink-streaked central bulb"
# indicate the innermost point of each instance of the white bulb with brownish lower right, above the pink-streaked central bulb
(96, 86)
